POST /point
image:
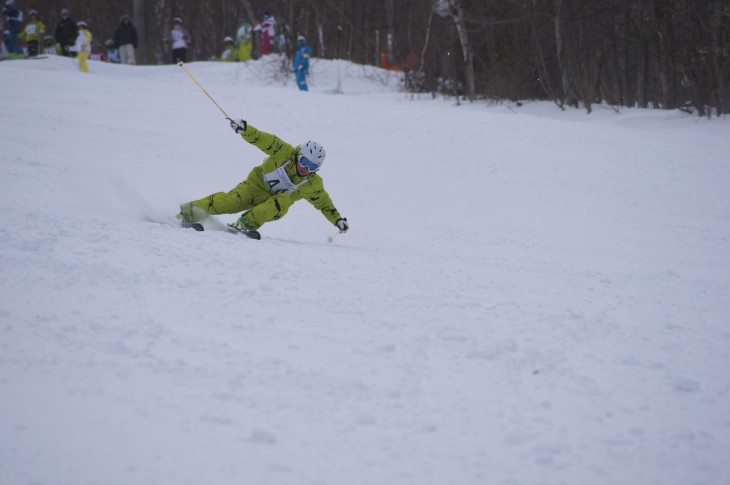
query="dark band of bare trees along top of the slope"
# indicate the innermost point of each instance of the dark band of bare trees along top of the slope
(665, 54)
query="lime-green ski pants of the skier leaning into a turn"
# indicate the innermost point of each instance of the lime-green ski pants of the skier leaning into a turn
(264, 206)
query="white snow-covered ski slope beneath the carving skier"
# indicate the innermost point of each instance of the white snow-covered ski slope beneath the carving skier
(526, 296)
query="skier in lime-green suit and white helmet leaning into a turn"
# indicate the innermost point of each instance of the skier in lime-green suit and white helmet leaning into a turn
(286, 176)
